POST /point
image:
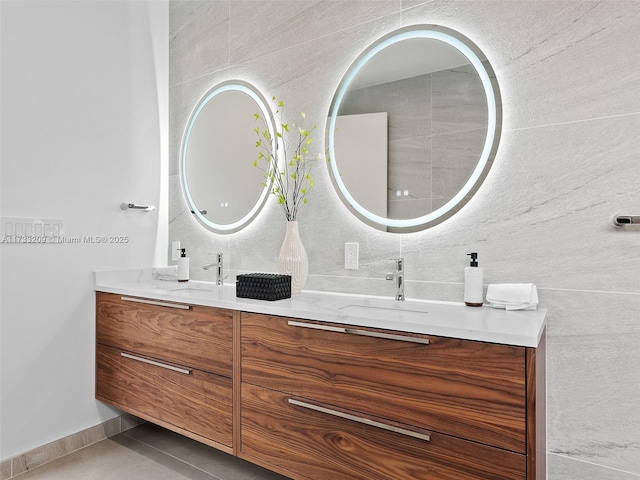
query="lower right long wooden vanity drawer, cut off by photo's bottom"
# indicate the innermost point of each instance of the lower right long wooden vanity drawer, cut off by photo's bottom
(306, 443)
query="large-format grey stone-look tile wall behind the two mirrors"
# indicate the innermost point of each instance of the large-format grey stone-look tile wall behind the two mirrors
(569, 159)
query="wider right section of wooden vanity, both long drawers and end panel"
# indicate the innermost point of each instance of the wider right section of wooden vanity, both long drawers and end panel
(321, 402)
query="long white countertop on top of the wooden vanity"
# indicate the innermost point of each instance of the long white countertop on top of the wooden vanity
(445, 319)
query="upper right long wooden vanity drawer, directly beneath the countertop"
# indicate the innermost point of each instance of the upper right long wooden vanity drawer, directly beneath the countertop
(467, 389)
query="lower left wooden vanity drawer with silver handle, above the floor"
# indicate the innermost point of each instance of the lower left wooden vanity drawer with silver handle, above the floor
(196, 401)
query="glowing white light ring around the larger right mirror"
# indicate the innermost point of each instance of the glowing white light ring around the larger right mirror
(493, 127)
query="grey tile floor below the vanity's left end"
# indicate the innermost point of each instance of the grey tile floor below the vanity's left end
(149, 452)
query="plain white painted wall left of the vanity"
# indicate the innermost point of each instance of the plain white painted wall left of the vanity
(84, 117)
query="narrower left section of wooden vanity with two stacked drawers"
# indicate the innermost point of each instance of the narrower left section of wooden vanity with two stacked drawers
(168, 363)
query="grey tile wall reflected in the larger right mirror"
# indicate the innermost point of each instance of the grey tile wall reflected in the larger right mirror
(437, 124)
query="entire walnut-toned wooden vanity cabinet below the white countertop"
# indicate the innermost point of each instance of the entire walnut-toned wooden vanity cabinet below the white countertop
(322, 401)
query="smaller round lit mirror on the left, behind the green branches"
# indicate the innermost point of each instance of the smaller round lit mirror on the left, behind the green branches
(222, 187)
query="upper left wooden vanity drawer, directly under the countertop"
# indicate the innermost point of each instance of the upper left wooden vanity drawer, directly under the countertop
(200, 337)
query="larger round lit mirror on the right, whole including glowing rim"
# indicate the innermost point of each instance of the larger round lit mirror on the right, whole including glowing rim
(413, 128)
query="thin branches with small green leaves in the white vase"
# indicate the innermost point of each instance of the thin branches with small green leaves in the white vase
(290, 179)
